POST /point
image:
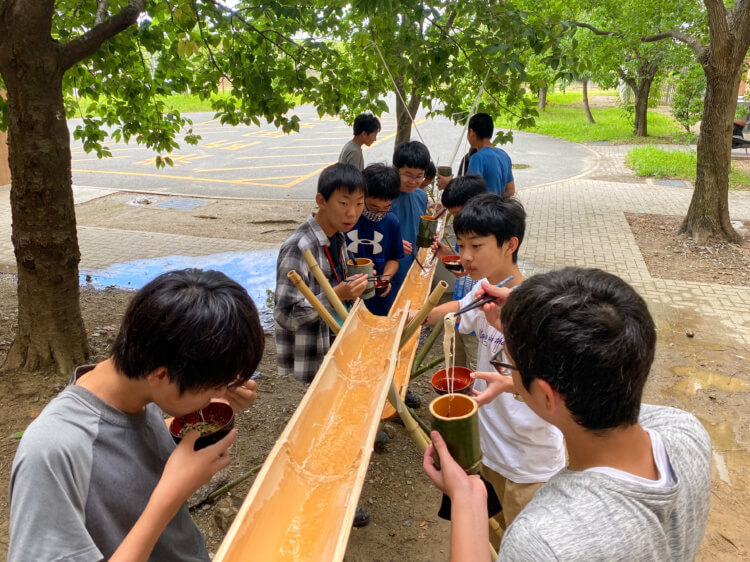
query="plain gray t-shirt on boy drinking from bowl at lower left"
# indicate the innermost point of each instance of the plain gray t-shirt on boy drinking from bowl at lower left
(83, 474)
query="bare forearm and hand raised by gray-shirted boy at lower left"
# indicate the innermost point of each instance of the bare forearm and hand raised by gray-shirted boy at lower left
(186, 471)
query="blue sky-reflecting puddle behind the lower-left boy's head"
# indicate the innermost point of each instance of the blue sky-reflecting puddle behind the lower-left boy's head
(255, 271)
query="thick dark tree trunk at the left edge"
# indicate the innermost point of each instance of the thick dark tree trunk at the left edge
(50, 330)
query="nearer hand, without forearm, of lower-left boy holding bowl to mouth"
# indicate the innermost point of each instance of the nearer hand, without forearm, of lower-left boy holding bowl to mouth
(187, 470)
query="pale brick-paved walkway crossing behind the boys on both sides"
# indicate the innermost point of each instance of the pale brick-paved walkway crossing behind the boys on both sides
(578, 221)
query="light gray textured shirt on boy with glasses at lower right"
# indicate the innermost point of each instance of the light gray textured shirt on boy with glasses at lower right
(591, 516)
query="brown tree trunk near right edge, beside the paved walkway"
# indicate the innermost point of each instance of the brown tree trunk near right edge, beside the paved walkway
(708, 214)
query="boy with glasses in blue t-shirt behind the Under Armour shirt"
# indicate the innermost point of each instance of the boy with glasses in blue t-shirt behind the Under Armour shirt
(410, 160)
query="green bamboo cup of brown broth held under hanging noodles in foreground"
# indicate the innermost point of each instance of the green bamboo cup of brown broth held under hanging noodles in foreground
(455, 417)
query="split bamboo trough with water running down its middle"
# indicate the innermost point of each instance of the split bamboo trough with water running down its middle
(302, 502)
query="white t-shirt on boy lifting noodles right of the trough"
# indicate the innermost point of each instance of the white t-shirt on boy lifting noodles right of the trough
(516, 443)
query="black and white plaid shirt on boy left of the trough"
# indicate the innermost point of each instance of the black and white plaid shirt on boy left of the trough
(302, 338)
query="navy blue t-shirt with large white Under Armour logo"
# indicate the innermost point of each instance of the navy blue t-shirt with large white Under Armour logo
(380, 242)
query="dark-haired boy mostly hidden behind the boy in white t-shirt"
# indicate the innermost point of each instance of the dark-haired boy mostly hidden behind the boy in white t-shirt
(456, 194)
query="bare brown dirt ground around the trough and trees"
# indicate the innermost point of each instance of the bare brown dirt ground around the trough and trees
(707, 375)
